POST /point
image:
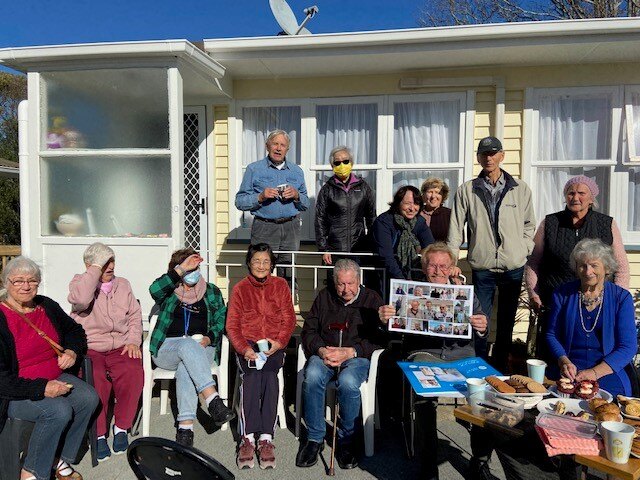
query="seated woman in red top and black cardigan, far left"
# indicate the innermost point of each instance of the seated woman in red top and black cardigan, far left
(38, 342)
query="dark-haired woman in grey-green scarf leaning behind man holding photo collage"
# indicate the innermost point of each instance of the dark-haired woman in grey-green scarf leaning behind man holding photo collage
(401, 233)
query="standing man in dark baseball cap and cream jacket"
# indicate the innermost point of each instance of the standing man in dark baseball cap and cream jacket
(498, 211)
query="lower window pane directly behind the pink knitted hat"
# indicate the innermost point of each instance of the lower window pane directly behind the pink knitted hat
(549, 196)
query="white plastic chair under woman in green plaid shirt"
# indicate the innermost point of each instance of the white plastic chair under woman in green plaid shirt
(152, 375)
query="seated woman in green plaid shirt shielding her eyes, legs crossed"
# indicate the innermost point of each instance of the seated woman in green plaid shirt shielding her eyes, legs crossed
(187, 338)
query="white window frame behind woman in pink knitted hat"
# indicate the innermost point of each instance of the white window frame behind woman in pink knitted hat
(617, 203)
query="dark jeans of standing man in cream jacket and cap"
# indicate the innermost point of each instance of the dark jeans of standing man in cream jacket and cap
(509, 285)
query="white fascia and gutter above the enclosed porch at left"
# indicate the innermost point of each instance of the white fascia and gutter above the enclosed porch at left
(24, 58)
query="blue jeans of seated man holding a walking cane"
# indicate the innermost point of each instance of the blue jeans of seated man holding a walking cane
(316, 377)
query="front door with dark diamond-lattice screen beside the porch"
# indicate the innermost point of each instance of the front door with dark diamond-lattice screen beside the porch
(195, 183)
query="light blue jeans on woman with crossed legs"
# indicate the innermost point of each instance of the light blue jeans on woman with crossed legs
(192, 365)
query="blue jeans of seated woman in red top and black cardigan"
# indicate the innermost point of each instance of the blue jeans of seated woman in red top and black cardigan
(60, 425)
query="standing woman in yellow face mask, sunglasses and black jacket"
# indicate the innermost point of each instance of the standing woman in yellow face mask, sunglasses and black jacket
(345, 208)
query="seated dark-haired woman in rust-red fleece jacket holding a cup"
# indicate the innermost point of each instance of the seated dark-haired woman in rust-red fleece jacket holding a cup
(260, 308)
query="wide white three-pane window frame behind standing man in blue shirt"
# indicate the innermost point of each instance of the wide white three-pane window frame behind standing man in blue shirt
(384, 166)
